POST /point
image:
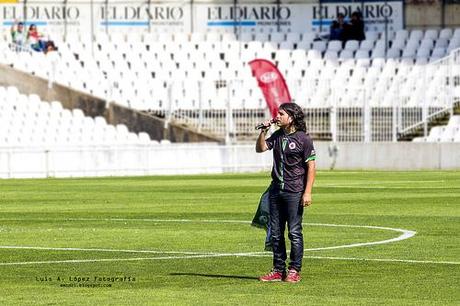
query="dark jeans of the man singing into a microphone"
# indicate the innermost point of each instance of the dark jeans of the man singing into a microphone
(286, 207)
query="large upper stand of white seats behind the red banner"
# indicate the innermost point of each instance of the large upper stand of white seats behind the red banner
(175, 72)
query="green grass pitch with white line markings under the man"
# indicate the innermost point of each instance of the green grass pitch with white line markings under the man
(168, 240)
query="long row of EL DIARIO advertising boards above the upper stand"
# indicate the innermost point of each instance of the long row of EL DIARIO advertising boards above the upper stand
(184, 16)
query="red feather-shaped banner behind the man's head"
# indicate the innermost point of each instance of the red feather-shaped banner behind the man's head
(272, 84)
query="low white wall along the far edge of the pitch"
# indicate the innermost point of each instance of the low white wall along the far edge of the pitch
(164, 159)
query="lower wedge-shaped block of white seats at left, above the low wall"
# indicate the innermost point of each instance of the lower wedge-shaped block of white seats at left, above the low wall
(27, 120)
